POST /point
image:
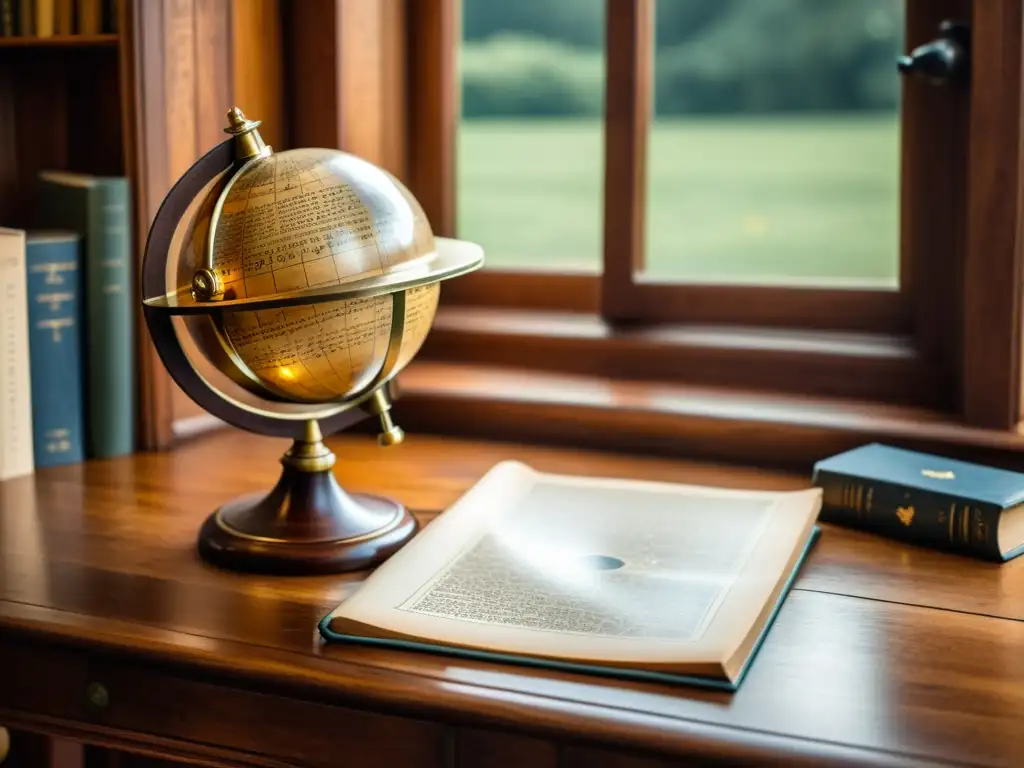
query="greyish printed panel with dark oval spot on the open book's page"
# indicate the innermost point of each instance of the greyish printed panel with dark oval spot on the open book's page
(616, 566)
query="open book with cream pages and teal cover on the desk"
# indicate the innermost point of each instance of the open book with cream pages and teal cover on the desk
(624, 578)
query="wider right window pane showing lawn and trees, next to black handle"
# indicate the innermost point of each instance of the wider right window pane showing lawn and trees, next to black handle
(775, 151)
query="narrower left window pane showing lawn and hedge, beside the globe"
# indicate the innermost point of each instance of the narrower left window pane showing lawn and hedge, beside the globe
(530, 166)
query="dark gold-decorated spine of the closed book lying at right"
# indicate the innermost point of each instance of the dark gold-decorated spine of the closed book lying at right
(925, 518)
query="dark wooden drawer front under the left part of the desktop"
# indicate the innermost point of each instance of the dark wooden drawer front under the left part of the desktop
(149, 700)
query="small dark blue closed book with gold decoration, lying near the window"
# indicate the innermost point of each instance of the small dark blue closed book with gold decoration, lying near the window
(923, 499)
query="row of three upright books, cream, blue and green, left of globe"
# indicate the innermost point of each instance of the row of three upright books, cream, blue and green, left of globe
(67, 349)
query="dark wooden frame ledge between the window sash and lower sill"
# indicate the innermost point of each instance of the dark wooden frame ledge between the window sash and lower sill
(824, 364)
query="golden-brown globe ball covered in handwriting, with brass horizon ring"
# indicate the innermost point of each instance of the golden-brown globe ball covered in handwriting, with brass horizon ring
(305, 277)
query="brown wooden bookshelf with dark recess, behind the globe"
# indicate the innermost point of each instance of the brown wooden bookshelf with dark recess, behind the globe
(143, 104)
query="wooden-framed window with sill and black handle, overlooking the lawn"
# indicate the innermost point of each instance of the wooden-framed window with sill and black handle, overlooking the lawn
(709, 200)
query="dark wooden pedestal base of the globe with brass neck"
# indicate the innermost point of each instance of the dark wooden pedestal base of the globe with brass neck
(308, 524)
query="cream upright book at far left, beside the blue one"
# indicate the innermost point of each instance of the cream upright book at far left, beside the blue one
(16, 388)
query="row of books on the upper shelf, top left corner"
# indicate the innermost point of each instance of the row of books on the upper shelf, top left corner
(50, 18)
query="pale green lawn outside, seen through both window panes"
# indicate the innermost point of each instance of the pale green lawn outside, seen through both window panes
(812, 199)
